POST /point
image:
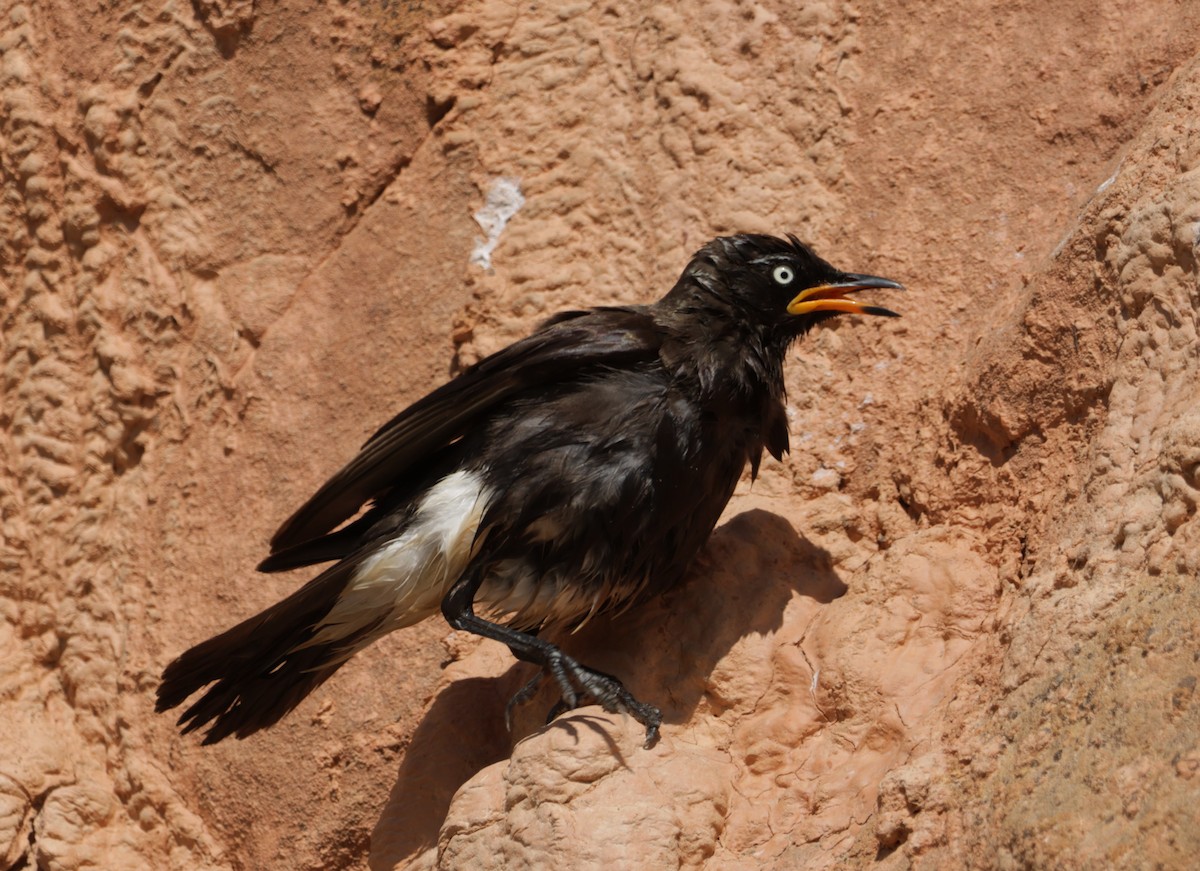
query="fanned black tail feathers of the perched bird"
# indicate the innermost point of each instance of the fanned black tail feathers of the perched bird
(263, 668)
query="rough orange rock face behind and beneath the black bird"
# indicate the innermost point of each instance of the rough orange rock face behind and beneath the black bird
(956, 628)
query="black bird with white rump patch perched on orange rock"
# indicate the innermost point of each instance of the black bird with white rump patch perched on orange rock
(577, 472)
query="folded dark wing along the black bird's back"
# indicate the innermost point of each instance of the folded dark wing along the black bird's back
(561, 351)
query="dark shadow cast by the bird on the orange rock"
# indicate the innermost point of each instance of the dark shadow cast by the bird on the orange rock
(665, 652)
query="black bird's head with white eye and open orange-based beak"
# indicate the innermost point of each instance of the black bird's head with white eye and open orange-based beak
(776, 285)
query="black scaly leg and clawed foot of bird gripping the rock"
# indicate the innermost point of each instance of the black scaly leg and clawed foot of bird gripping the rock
(573, 678)
